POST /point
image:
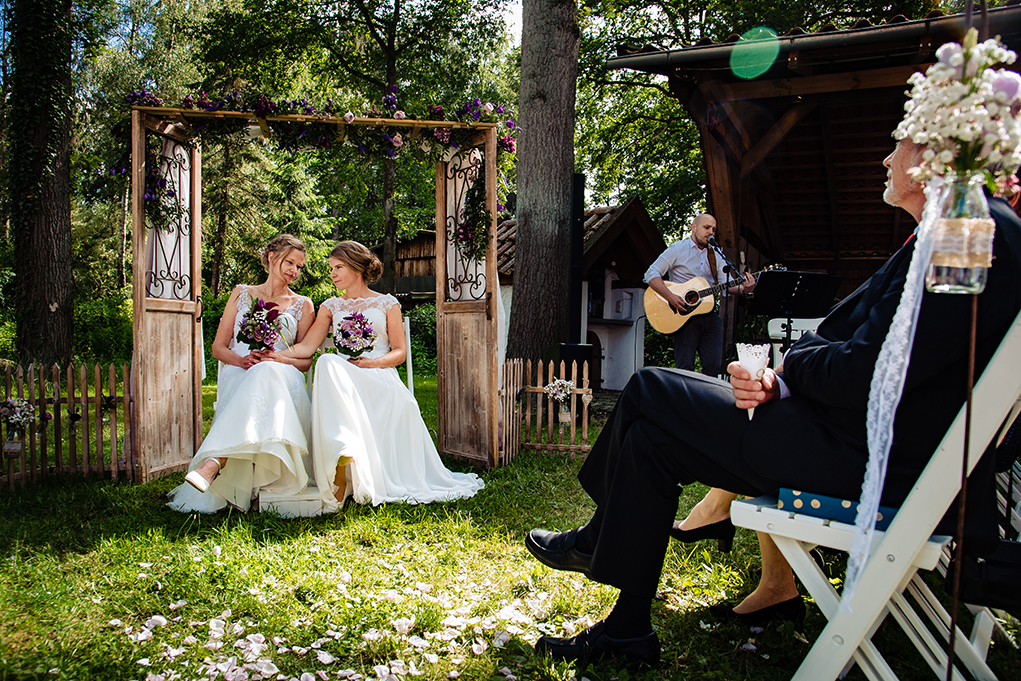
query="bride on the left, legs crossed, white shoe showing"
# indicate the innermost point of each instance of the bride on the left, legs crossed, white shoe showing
(260, 435)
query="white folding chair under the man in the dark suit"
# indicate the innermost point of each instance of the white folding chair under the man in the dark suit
(907, 547)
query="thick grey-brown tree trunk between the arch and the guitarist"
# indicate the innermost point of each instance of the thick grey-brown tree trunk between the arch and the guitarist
(546, 165)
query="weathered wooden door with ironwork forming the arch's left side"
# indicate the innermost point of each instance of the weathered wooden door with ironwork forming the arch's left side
(168, 350)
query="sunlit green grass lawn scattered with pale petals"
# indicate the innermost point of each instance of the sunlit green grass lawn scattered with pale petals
(103, 581)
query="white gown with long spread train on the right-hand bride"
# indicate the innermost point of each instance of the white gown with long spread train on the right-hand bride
(368, 417)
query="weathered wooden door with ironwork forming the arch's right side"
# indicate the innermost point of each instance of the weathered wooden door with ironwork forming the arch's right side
(468, 407)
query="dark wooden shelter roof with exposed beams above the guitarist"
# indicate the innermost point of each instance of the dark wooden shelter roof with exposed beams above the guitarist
(794, 158)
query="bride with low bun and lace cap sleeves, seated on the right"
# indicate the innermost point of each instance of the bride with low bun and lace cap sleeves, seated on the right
(369, 439)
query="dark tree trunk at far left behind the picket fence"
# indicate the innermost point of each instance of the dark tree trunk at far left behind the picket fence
(40, 180)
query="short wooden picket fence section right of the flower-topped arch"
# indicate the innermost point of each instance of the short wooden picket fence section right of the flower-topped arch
(533, 420)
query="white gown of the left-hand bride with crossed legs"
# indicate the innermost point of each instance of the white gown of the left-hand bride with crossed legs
(262, 426)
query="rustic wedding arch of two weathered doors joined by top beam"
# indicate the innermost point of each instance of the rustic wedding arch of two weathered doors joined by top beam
(168, 358)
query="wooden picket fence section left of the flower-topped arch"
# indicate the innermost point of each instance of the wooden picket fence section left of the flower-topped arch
(90, 430)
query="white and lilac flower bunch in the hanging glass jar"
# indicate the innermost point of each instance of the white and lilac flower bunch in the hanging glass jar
(965, 111)
